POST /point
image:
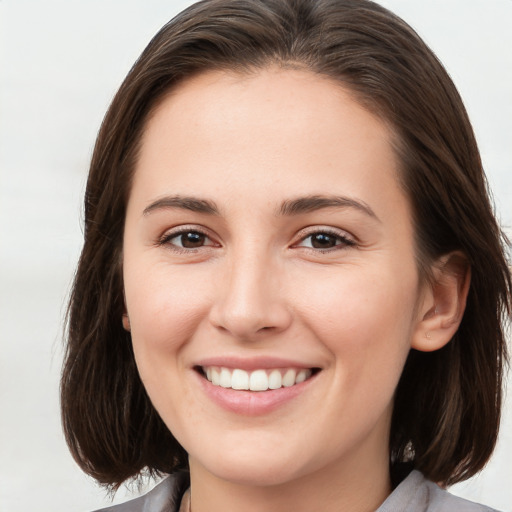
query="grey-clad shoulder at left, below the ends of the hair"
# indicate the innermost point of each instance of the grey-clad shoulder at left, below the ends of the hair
(165, 497)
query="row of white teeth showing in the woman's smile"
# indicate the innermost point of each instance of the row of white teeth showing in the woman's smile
(257, 380)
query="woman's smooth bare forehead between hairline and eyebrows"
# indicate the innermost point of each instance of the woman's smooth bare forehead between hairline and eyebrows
(292, 128)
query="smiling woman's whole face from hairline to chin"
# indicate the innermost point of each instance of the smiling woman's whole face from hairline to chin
(270, 276)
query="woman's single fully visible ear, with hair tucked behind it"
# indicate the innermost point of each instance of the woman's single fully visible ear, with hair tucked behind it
(443, 303)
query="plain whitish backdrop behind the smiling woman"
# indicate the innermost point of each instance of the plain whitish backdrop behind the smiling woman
(61, 62)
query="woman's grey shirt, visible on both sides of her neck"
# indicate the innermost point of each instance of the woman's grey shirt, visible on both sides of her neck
(414, 494)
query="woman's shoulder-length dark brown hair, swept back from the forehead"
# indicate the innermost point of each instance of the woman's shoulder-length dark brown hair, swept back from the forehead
(447, 404)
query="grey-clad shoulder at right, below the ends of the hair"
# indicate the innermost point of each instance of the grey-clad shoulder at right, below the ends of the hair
(418, 494)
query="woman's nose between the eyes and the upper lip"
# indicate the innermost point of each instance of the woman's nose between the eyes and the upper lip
(250, 299)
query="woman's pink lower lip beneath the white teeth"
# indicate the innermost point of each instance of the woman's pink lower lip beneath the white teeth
(252, 403)
